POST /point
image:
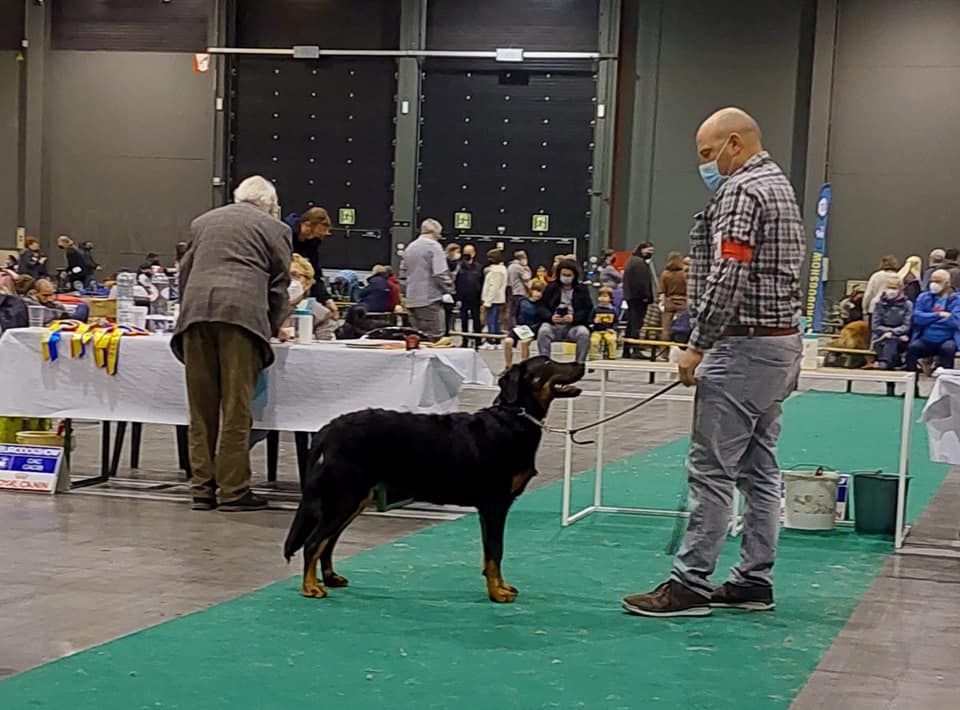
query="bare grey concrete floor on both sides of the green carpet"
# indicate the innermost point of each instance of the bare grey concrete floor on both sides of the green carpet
(81, 569)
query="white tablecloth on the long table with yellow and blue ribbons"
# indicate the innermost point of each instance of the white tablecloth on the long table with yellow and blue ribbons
(307, 386)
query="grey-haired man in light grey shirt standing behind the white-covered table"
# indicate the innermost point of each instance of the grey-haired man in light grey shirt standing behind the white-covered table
(425, 280)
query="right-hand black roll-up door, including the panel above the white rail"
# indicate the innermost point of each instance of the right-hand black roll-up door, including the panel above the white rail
(504, 142)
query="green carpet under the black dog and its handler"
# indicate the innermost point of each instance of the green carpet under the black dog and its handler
(415, 629)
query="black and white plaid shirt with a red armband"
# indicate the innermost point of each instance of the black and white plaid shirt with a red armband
(746, 251)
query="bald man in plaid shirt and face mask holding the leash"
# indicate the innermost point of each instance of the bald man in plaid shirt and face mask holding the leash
(747, 248)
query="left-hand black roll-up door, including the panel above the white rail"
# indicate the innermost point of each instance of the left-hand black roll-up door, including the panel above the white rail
(321, 129)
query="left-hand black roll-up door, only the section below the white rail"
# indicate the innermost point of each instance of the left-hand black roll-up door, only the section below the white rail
(322, 131)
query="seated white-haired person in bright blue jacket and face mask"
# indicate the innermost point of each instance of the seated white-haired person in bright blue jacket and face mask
(936, 323)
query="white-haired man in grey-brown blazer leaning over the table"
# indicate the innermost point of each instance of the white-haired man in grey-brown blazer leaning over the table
(233, 295)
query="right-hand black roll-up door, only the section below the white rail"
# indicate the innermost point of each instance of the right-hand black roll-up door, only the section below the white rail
(504, 145)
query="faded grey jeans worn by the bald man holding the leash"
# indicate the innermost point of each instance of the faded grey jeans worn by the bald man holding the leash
(741, 385)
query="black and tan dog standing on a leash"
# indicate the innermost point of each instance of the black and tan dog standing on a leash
(482, 460)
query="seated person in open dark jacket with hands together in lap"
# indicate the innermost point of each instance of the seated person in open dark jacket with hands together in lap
(565, 310)
